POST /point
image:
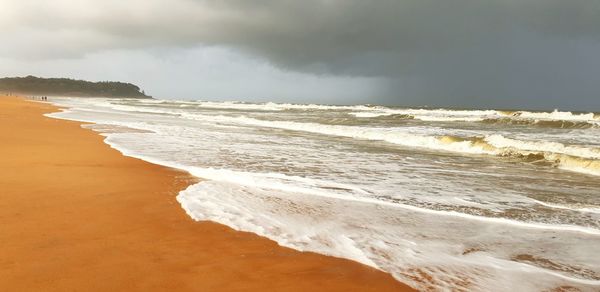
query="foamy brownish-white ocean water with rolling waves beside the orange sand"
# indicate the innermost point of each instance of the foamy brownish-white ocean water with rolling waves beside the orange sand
(478, 200)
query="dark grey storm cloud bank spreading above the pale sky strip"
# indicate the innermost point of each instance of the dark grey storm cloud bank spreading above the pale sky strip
(537, 53)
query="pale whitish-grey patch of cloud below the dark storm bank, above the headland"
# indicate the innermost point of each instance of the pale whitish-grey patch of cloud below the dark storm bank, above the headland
(203, 73)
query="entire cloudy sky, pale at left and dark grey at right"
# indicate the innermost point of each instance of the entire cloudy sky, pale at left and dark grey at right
(535, 54)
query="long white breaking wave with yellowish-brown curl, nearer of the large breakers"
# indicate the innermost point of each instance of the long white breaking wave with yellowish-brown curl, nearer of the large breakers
(569, 157)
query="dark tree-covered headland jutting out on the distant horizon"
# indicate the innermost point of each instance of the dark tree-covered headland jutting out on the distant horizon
(31, 85)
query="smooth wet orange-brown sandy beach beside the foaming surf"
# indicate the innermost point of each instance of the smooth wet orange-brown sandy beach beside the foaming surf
(78, 216)
